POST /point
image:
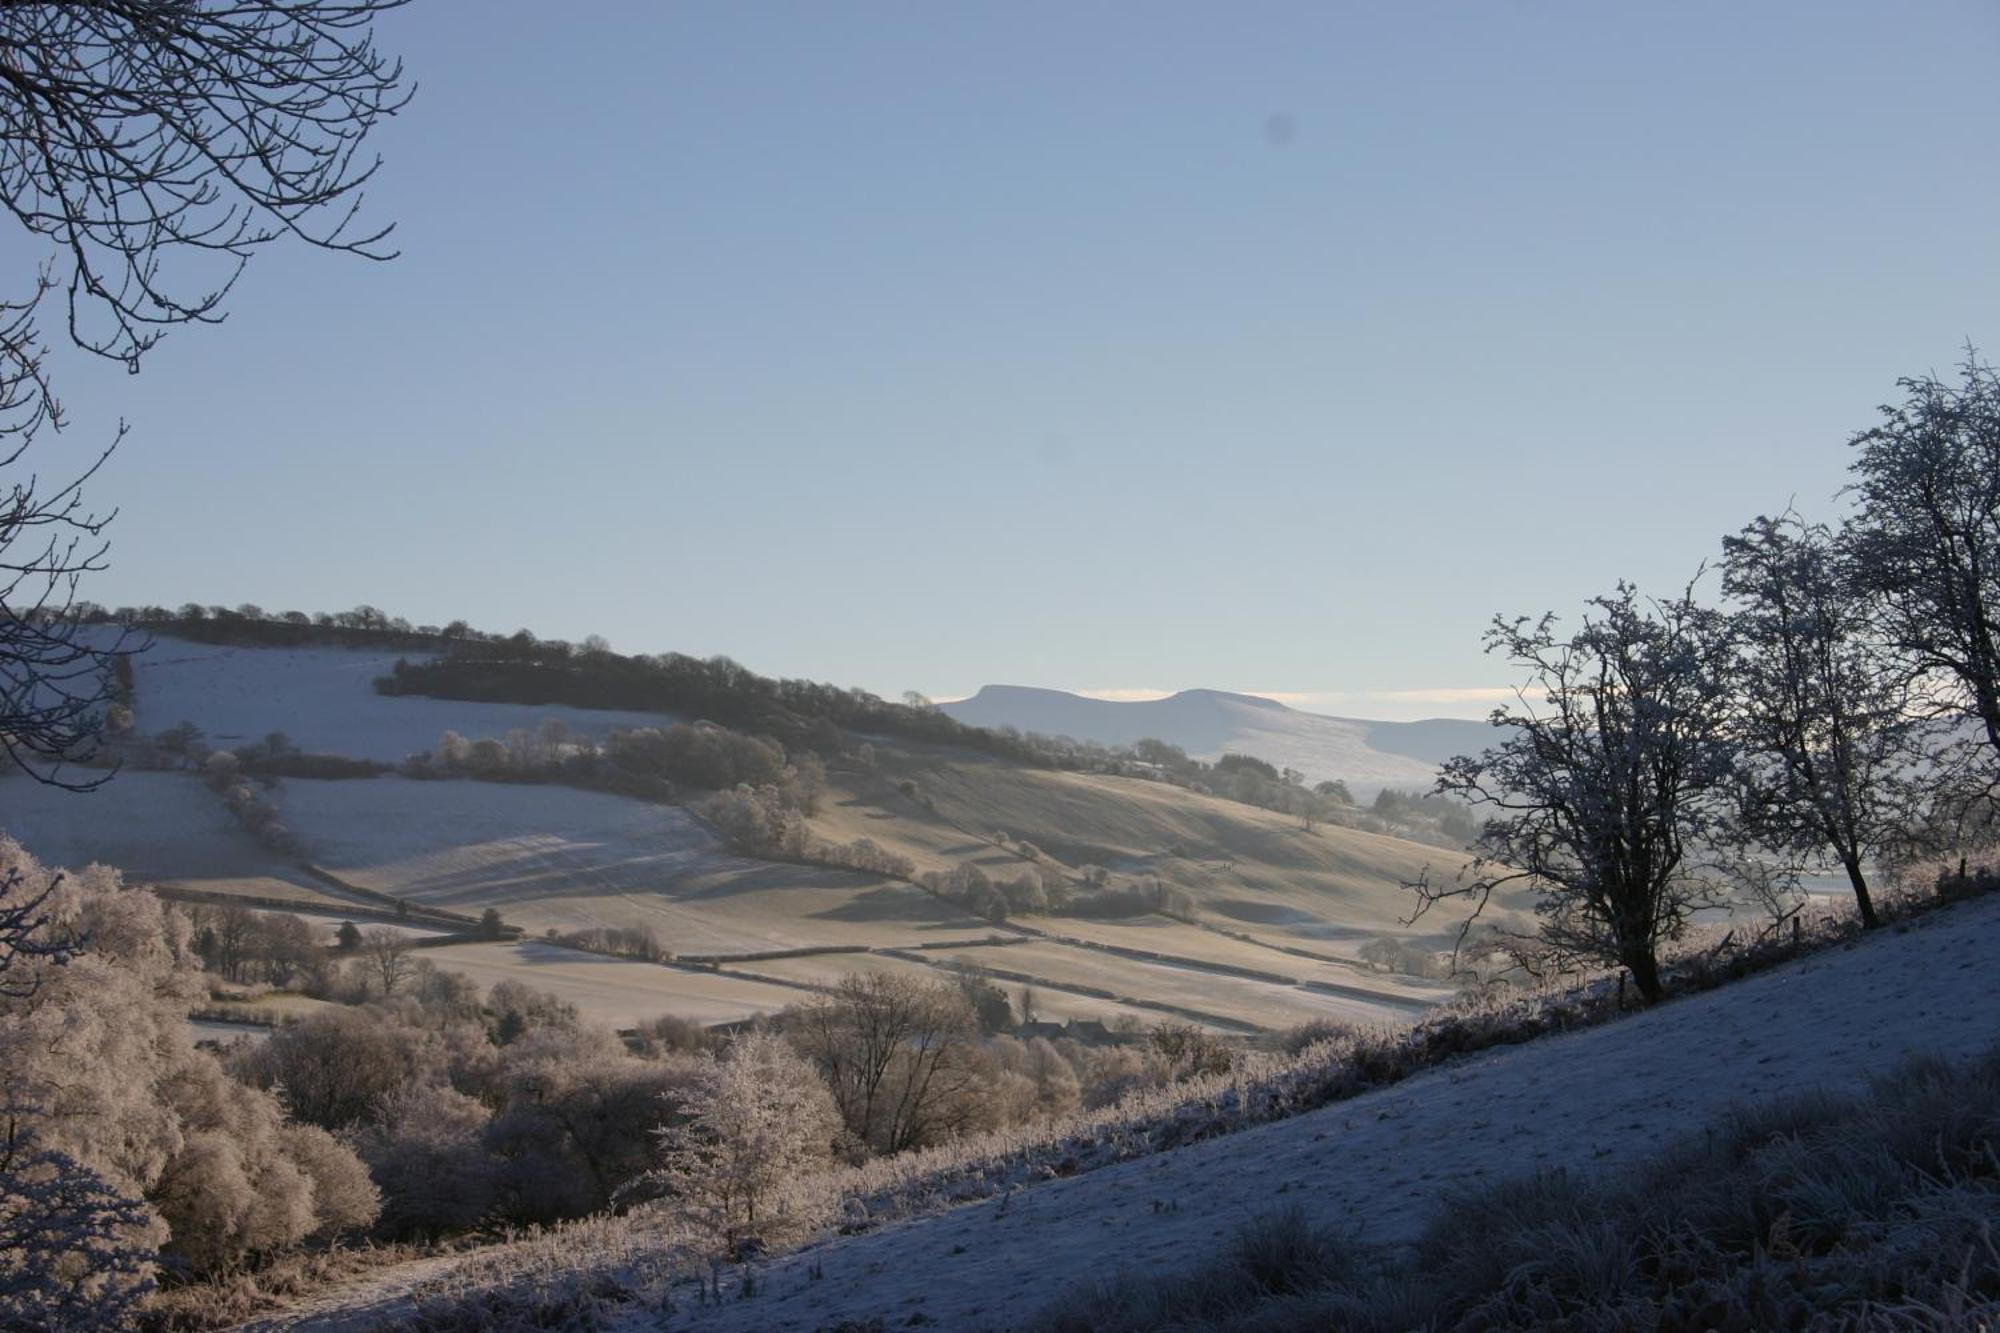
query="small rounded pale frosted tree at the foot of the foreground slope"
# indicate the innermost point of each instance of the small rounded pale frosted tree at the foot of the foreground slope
(755, 1130)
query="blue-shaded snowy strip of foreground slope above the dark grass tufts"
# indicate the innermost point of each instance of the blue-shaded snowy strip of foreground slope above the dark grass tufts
(1381, 1164)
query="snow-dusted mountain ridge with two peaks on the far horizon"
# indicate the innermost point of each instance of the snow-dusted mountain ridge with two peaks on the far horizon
(1363, 754)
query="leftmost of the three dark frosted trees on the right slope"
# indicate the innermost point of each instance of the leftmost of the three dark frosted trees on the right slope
(1607, 782)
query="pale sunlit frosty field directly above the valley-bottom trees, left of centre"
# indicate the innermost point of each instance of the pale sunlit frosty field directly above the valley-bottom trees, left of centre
(617, 992)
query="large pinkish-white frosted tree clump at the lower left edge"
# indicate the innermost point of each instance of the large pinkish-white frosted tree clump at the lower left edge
(97, 1068)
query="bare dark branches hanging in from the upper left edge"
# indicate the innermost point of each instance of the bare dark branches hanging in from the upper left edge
(153, 147)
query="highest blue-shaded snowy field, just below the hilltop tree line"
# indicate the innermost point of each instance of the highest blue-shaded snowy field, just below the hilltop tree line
(325, 702)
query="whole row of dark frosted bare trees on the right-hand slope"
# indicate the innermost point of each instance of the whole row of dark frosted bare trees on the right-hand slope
(1839, 710)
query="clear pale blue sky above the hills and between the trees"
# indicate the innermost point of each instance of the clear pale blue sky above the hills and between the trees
(1263, 347)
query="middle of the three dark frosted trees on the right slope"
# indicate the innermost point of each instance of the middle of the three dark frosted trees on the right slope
(1821, 720)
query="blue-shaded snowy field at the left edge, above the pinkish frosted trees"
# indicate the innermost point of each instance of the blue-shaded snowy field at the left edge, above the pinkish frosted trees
(157, 828)
